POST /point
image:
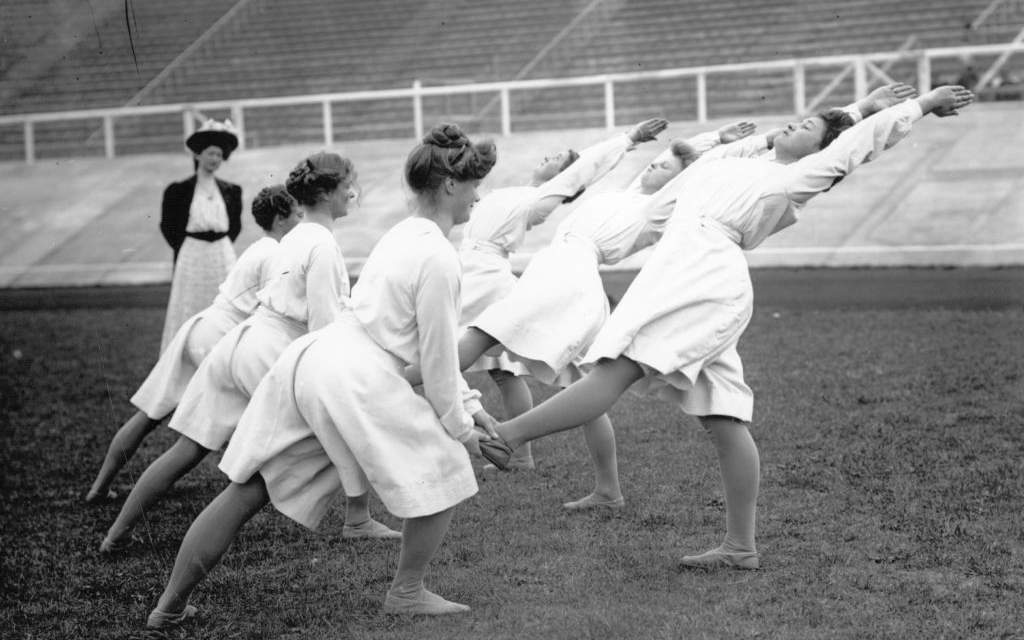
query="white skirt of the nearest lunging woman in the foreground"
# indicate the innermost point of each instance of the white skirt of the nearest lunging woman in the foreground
(335, 412)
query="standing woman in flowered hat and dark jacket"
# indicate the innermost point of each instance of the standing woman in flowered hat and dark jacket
(200, 220)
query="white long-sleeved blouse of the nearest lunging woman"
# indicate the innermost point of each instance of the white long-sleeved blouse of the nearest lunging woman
(408, 300)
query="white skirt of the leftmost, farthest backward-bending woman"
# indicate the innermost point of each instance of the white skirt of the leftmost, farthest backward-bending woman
(487, 278)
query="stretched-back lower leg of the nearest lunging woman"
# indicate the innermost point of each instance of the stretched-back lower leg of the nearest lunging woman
(209, 537)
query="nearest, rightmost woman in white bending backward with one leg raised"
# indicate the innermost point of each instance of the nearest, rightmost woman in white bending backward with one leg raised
(674, 334)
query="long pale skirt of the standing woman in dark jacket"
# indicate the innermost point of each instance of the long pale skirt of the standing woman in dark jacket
(198, 274)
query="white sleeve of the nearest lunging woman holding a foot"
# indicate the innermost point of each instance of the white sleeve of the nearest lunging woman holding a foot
(438, 322)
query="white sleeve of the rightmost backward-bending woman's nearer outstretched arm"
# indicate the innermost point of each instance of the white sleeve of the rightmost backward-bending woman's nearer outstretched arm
(818, 173)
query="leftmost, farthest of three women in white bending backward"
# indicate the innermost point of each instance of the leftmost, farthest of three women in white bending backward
(497, 229)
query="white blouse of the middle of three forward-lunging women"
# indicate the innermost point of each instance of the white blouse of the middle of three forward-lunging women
(309, 282)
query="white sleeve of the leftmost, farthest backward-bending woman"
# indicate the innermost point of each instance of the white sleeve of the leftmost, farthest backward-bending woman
(594, 163)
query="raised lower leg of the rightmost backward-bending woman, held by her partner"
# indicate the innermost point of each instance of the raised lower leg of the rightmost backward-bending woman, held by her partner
(577, 405)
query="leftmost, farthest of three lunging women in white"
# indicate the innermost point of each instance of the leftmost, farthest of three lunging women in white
(276, 212)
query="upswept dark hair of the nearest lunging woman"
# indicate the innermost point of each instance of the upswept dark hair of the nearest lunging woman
(447, 153)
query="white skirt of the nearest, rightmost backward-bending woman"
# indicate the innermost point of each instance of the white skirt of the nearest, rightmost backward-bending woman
(681, 319)
